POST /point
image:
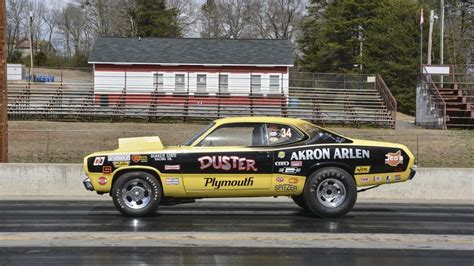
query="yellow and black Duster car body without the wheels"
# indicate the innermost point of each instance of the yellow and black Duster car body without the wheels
(277, 161)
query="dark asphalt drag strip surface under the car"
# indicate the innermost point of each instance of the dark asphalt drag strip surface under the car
(231, 219)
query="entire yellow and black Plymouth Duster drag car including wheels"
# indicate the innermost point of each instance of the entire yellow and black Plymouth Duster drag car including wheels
(247, 157)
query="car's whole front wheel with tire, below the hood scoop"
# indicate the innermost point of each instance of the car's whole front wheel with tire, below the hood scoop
(137, 194)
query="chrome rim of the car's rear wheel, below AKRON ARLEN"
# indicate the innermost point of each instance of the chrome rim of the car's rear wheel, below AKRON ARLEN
(331, 193)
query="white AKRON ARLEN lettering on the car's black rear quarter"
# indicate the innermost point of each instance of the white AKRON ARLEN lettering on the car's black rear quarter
(325, 154)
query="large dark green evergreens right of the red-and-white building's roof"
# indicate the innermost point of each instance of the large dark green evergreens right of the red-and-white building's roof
(388, 30)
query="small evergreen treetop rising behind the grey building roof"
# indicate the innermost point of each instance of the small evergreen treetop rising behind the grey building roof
(154, 19)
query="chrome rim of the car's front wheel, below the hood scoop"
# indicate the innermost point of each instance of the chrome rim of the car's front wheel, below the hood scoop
(136, 194)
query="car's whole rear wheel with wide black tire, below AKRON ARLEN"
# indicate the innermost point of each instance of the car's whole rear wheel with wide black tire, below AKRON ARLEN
(330, 192)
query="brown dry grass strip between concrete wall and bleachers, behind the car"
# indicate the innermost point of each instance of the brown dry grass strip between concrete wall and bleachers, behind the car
(452, 149)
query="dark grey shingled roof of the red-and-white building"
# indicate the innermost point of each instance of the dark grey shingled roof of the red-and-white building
(192, 51)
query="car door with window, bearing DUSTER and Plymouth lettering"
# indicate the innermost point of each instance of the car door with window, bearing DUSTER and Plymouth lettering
(232, 160)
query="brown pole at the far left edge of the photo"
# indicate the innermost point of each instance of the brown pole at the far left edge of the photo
(3, 88)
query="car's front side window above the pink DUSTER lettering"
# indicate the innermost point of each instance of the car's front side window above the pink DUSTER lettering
(236, 135)
